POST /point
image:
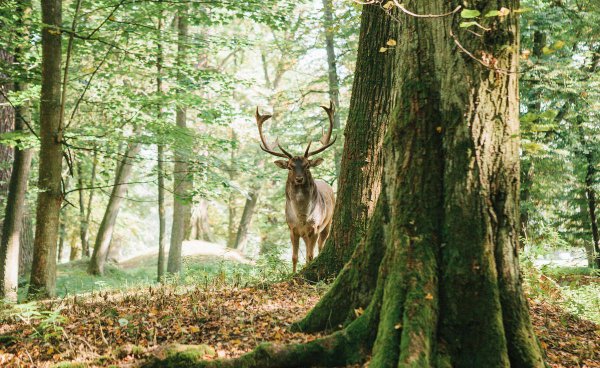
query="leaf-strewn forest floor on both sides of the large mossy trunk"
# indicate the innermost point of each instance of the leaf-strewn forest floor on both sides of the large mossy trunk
(124, 328)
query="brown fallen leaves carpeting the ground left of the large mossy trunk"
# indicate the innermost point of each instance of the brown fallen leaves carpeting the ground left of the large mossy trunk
(118, 328)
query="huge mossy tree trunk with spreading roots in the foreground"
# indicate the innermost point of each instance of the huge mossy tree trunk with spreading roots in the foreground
(448, 291)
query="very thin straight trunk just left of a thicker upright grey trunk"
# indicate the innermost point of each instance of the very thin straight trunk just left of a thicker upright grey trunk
(162, 222)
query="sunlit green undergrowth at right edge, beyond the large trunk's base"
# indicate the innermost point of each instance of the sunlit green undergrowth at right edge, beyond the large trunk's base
(575, 289)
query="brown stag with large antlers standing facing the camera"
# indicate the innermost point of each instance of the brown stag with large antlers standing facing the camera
(309, 203)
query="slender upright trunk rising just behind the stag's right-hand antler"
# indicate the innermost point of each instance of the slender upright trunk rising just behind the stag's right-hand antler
(334, 81)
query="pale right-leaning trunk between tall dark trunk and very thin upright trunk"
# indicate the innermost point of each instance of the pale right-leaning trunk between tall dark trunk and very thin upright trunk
(105, 232)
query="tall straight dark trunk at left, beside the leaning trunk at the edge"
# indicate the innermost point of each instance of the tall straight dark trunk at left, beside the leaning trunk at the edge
(43, 272)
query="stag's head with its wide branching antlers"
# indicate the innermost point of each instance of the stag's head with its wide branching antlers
(298, 166)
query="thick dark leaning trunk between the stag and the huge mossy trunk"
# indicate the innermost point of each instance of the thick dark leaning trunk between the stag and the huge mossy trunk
(359, 183)
